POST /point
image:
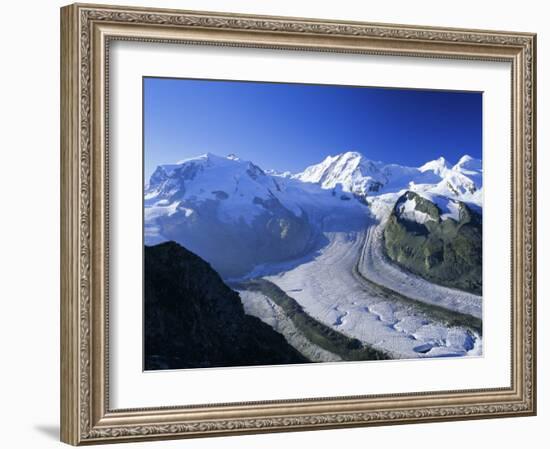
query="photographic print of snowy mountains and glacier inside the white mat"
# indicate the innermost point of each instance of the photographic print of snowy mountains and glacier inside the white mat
(297, 223)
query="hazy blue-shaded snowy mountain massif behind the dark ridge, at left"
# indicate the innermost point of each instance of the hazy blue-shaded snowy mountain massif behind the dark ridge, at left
(235, 215)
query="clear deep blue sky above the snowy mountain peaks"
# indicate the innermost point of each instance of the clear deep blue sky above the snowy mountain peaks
(291, 126)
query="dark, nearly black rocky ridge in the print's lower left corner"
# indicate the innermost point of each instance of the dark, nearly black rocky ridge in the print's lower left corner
(193, 320)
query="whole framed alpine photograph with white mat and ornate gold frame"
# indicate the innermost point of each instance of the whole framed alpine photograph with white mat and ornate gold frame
(279, 224)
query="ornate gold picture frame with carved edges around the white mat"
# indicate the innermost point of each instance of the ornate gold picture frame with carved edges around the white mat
(86, 31)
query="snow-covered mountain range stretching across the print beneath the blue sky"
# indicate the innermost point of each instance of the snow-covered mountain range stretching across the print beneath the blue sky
(236, 215)
